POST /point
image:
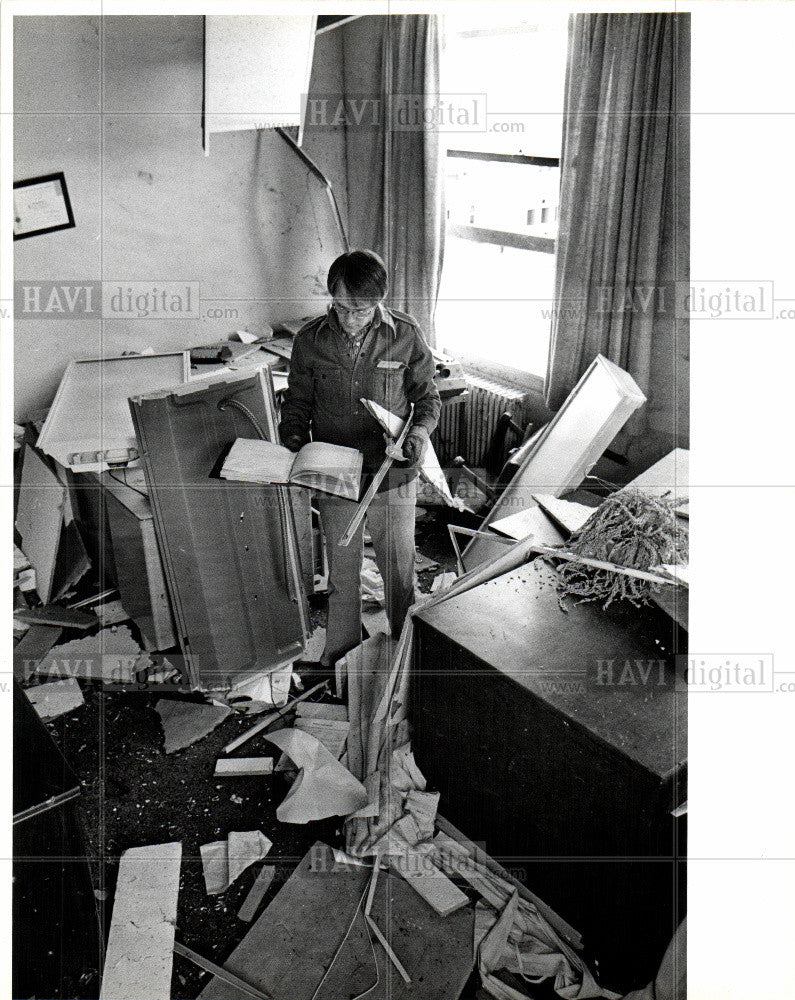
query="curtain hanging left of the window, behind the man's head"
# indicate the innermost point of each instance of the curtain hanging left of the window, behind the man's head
(393, 179)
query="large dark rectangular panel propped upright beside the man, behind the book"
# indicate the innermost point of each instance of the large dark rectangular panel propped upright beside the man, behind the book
(229, 549)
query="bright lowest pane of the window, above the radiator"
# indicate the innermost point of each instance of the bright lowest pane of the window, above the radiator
(495, 303)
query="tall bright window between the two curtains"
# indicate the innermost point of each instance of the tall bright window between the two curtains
(495, 300)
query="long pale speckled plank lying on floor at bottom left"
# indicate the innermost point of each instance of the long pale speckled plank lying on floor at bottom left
(140, 949)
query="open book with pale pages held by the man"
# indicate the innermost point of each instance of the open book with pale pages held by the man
(327, 467)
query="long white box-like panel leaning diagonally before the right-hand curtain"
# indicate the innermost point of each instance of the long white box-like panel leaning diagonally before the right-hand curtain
(568, 447)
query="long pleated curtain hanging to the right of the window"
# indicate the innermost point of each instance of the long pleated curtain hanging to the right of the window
(622, 239)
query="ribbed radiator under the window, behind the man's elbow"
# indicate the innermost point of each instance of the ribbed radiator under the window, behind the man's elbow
(467, 424)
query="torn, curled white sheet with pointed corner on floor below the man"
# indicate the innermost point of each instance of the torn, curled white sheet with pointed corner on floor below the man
(323, 787)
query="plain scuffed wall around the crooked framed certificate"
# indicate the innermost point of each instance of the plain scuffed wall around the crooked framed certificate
(115, 103)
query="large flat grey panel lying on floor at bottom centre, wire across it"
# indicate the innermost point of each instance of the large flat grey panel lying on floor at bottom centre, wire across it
(289, 948)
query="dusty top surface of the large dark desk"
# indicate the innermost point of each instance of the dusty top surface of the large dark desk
(611, 671)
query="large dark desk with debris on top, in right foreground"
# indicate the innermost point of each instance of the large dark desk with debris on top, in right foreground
(559, 739)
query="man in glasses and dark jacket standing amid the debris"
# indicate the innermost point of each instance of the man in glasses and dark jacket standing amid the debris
(362, 349)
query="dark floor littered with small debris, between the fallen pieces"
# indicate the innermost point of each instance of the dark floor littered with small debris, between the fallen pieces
(134, 794)
